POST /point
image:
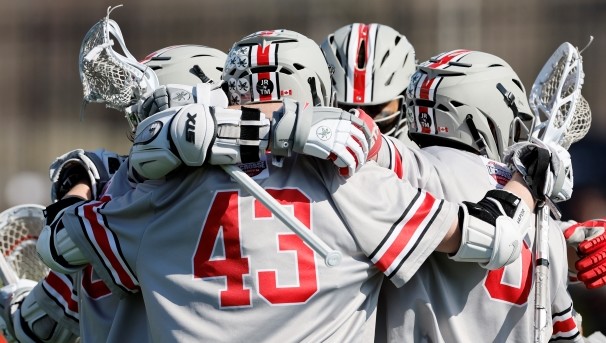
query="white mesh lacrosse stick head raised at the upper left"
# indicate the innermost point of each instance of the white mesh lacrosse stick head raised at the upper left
(114, 78)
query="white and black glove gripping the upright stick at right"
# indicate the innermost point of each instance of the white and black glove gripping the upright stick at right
(546, 168)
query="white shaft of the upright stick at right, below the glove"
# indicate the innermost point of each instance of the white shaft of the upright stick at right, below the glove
(541, 294)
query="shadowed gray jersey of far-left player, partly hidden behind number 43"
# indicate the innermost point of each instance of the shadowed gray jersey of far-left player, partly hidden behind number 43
(107, 317)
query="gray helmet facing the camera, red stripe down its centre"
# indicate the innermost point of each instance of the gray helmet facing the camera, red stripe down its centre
(370, 66)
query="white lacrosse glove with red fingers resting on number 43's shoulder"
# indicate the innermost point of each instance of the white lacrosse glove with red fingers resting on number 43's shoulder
(349, 139)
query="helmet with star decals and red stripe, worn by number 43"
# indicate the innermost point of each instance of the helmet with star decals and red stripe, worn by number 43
(276, 64)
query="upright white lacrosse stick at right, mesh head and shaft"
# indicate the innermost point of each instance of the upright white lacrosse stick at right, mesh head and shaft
(563, 118)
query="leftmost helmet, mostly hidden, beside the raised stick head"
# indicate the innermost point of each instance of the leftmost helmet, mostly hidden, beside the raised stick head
(186, 64)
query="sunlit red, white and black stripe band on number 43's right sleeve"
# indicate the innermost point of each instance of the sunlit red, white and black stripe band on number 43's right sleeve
(405, 235)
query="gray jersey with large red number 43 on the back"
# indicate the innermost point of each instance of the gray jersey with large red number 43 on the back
(213, 264)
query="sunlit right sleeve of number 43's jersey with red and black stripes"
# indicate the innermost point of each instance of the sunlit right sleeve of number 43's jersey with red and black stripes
(396, 225)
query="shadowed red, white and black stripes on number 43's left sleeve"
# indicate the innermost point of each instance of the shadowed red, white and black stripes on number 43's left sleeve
(104, 242)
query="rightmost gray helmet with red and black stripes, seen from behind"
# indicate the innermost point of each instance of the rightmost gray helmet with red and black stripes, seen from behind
(468, 100)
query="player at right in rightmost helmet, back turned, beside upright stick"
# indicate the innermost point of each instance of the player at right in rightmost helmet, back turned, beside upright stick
(466, 108)
